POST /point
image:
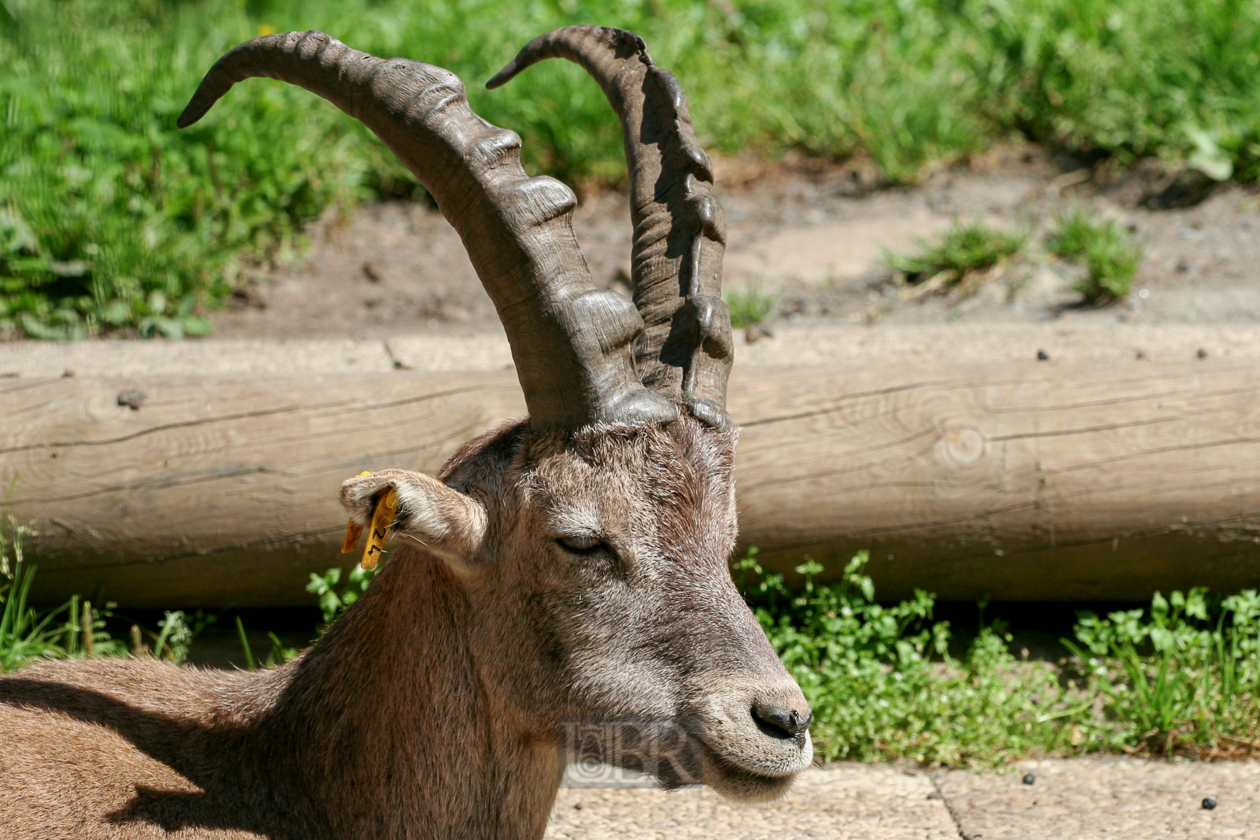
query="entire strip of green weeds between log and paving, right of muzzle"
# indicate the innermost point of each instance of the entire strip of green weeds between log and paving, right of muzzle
(1181, 677)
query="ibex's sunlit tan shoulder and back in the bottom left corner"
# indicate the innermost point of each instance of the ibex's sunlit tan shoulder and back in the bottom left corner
(108, 750)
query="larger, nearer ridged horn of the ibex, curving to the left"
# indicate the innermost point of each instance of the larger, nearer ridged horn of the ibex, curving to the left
(571, 342)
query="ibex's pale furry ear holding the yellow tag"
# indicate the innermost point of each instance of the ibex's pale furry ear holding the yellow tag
(444, 521)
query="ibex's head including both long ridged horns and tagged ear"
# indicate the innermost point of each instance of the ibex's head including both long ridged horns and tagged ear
(590, 543)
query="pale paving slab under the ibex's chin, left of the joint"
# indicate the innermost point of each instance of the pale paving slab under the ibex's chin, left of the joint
(837, 803)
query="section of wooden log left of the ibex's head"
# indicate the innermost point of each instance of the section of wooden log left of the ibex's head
(217, 491)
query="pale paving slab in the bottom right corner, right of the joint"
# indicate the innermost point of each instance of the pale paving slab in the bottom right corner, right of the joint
(1085, 799)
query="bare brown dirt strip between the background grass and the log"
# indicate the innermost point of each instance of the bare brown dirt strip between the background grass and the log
(812, 235)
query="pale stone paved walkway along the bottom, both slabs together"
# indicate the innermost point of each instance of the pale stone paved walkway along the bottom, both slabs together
(1070, 800)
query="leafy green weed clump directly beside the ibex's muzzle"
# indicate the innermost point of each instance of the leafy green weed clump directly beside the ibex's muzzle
(883, 684)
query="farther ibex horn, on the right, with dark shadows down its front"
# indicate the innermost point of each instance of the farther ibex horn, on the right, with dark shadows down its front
(680, 234)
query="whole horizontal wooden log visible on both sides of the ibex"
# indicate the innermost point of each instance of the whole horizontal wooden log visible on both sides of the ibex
(1019, 480)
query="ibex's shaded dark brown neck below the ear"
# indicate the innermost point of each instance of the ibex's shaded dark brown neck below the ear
(389, 722)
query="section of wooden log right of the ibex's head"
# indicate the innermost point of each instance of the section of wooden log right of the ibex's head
(1017, 480)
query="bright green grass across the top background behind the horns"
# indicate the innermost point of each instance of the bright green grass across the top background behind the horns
(112, 220)
